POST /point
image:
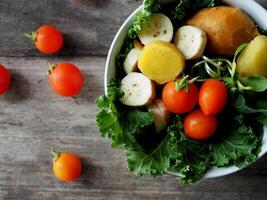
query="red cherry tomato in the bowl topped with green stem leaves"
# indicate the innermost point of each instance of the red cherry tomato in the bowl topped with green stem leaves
(181, 101)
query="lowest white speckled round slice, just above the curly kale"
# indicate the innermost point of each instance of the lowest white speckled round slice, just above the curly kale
(138, 90)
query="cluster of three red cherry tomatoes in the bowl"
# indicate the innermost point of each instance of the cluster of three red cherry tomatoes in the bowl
(201, 123)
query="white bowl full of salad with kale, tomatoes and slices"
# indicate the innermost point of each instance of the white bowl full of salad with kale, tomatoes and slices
(185, 88)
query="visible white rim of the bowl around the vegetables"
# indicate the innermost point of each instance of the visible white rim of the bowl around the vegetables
(251, 7)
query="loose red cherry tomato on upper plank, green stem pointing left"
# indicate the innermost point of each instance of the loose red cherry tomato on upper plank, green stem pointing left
(47, 39)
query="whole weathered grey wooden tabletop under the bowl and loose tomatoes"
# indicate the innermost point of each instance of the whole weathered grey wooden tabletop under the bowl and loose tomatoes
(33, 119)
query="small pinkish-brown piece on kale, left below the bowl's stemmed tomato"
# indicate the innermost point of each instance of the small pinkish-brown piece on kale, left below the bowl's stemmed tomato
(160, 113)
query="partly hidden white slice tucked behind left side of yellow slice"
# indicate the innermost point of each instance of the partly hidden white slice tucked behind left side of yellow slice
(130, 63)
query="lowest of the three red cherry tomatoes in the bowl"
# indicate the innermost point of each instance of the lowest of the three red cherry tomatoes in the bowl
(199, 126)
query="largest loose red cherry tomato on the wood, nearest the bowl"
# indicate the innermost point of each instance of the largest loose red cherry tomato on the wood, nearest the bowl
(66, 79)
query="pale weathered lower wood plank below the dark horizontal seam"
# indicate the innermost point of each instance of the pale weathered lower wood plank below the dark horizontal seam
(33, 120)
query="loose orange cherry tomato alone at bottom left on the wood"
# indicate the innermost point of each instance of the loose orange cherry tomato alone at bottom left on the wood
(67, 166)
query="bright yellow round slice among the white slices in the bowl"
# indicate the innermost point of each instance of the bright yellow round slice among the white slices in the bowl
(161, 61)
